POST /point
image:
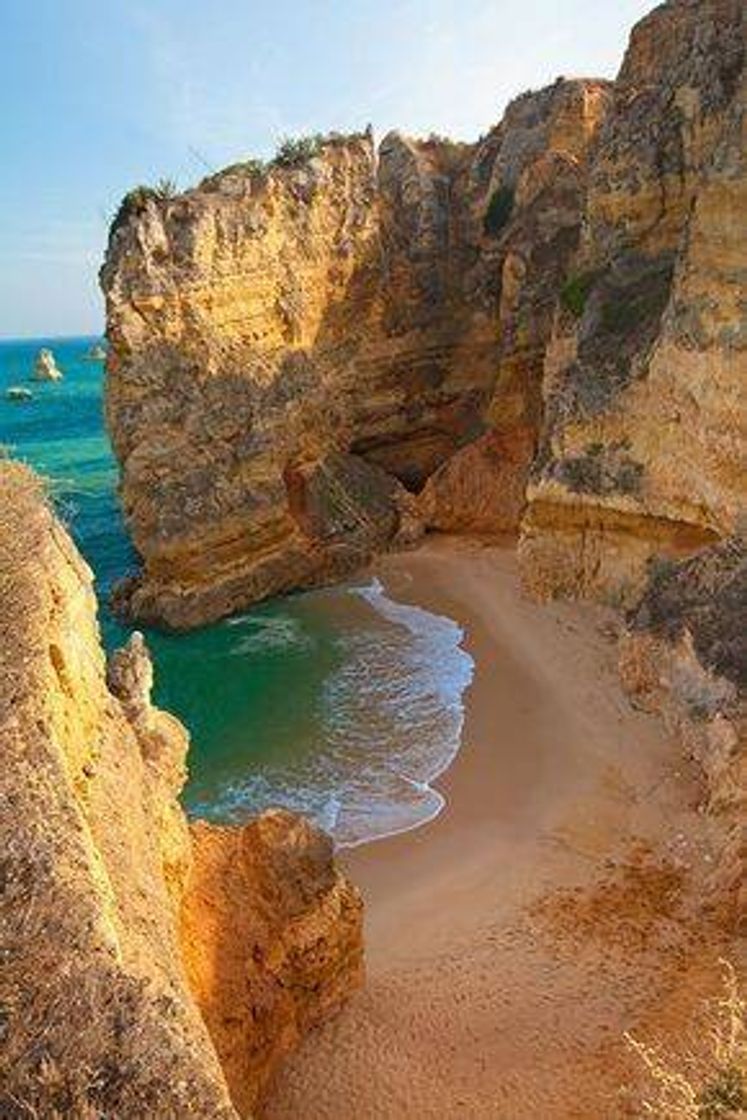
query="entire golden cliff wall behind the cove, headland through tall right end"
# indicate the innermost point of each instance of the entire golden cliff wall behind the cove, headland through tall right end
(543, 333)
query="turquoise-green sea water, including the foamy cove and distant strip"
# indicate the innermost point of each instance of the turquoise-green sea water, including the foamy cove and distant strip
(341, 703)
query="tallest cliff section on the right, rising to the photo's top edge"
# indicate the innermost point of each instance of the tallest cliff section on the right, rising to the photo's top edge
(643, 451)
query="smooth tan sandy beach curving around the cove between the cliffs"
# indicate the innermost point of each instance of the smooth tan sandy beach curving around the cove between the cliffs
(549, 909)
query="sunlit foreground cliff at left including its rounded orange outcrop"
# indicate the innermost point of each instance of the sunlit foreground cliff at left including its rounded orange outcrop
(100, 1014)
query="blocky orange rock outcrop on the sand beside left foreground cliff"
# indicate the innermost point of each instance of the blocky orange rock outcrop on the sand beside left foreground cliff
(273, 941)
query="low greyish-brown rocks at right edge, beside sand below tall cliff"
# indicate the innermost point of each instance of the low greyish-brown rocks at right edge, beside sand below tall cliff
(685, 656)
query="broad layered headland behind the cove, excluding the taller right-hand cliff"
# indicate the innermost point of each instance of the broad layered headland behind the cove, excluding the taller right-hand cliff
(291, 350)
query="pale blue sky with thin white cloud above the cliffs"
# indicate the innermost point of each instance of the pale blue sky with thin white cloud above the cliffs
(101, 96)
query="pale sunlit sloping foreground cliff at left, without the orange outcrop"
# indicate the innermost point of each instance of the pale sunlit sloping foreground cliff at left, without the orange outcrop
(96, 850)
